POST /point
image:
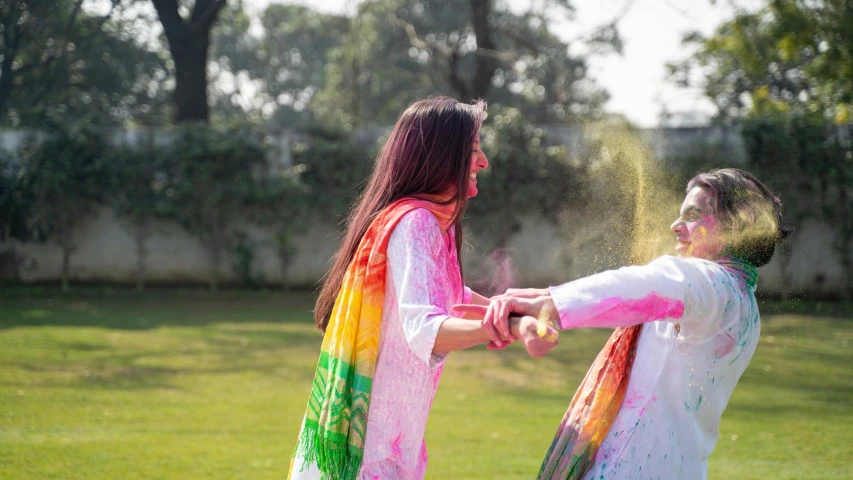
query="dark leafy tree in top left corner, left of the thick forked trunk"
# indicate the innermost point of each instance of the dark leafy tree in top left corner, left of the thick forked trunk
(62, 62)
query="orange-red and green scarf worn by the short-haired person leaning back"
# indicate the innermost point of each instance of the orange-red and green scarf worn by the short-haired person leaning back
(597, 402)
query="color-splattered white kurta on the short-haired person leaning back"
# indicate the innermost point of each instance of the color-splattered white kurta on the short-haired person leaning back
(685, 369)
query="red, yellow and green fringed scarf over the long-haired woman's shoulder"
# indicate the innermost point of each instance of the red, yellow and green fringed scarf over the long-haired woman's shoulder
(336, 417)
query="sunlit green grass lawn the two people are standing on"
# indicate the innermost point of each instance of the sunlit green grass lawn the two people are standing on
(187, 385)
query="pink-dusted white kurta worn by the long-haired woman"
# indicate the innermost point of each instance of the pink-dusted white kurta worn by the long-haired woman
(423, 282)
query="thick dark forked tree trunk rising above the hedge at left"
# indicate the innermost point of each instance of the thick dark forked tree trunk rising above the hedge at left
(189, 42)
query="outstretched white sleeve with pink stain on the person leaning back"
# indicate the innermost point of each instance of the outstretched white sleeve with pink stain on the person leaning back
(686, 291)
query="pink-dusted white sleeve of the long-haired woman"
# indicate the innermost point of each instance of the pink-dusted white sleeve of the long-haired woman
(415, 251)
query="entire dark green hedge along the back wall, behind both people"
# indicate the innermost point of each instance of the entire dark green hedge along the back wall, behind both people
(208, 179)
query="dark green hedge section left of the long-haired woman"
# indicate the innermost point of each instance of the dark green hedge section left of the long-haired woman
(206, 179)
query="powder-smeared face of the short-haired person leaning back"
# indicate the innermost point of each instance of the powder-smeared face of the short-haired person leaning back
(697, 231)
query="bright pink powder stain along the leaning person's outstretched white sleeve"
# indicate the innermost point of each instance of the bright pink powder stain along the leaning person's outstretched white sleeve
(621, 312)
